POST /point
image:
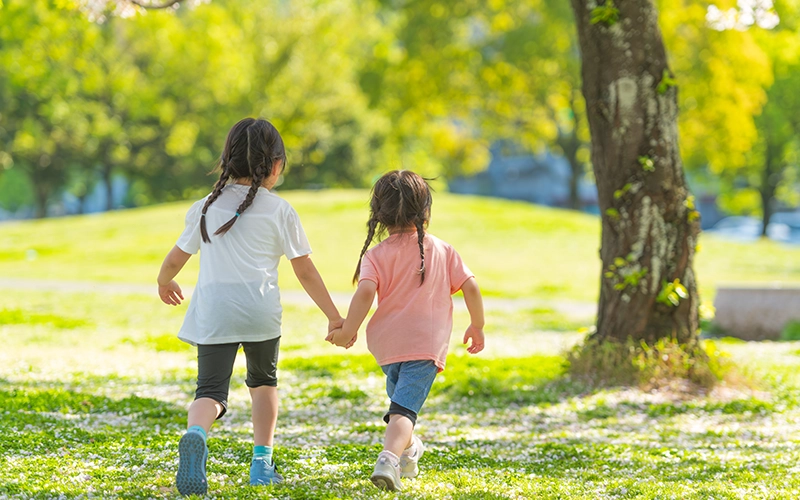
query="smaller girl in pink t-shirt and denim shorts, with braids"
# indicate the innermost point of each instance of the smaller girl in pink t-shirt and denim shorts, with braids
(414, 275)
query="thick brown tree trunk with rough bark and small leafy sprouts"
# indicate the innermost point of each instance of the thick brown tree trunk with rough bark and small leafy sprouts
(649, 224)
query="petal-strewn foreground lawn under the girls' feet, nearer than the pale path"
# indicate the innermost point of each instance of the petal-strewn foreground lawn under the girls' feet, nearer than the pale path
(94, 389)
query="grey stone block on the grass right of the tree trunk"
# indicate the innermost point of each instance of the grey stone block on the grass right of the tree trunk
(753, 313)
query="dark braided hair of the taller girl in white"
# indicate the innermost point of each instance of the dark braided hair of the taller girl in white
(251, 150)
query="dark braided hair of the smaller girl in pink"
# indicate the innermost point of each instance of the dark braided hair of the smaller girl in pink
(399, 199)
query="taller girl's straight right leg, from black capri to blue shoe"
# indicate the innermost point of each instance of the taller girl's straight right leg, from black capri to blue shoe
(262, 379)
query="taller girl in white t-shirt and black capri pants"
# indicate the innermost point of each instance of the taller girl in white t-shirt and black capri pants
(236, 301)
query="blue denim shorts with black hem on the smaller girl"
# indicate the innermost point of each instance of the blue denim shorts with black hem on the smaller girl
(408, 384)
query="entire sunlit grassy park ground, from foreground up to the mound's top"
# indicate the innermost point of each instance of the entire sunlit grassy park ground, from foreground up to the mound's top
(94, 385)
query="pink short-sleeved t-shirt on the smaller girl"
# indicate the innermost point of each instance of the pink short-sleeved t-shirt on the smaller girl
(412, 322)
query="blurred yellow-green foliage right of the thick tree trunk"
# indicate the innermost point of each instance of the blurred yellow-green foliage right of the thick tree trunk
(739, 138)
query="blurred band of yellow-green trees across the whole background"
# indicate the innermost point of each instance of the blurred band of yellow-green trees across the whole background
(101, 89)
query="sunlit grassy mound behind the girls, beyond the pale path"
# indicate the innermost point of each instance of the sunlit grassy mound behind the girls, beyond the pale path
(515, 249)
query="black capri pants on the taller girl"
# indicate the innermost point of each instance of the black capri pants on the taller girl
(215, 367)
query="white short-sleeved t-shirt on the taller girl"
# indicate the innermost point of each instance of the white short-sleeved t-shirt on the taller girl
(237, 298)
